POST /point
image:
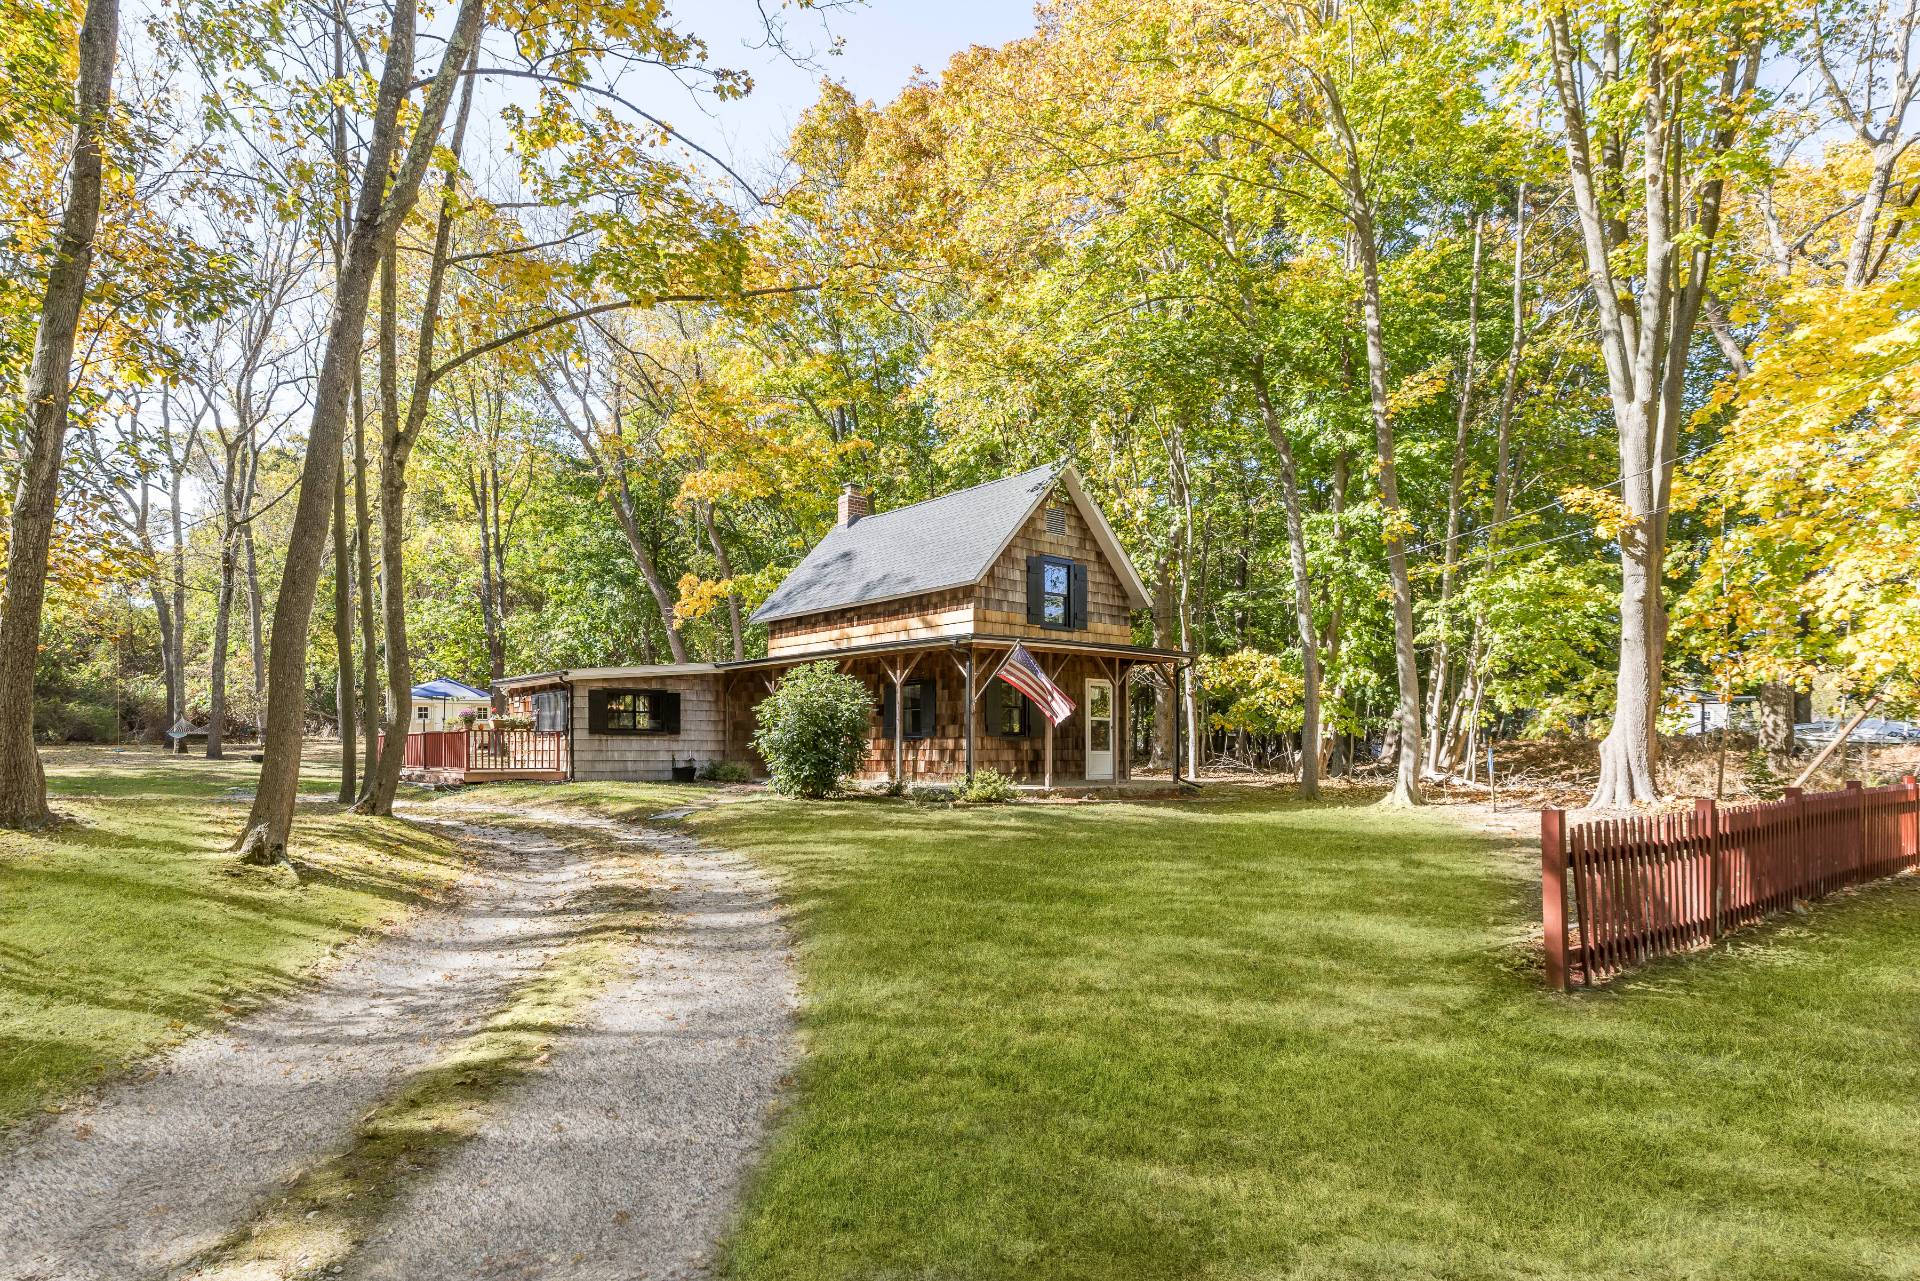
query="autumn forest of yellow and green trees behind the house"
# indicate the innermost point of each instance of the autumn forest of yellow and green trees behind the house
(1439, 364)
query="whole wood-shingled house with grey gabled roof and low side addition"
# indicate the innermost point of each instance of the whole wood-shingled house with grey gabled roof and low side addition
(923, 604)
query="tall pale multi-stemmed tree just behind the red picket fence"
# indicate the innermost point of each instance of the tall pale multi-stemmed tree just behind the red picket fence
(1656, 103)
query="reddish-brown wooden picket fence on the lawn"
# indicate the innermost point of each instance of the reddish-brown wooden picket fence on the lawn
(1620, 892)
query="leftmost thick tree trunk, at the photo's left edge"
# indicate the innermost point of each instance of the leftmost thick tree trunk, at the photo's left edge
(49, 395)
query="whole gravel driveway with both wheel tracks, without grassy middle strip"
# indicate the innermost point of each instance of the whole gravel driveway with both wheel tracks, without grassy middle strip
(615, 1157)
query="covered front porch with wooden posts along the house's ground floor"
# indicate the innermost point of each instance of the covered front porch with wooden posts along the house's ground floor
(942, 713)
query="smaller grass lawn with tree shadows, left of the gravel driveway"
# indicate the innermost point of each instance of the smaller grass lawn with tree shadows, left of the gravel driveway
(132, 925)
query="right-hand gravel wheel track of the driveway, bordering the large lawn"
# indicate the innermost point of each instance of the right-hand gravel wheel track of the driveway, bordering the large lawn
(625, 1157)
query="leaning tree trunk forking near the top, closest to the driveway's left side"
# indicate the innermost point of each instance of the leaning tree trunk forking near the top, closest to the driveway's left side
(379, 208)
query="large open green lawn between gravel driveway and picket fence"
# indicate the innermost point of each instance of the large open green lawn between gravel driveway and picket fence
(1255, 1040)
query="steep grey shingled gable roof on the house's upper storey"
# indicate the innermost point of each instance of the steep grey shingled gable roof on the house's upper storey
(934, 546)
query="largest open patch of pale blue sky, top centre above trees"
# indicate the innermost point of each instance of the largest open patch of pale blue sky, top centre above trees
(884, 43)
